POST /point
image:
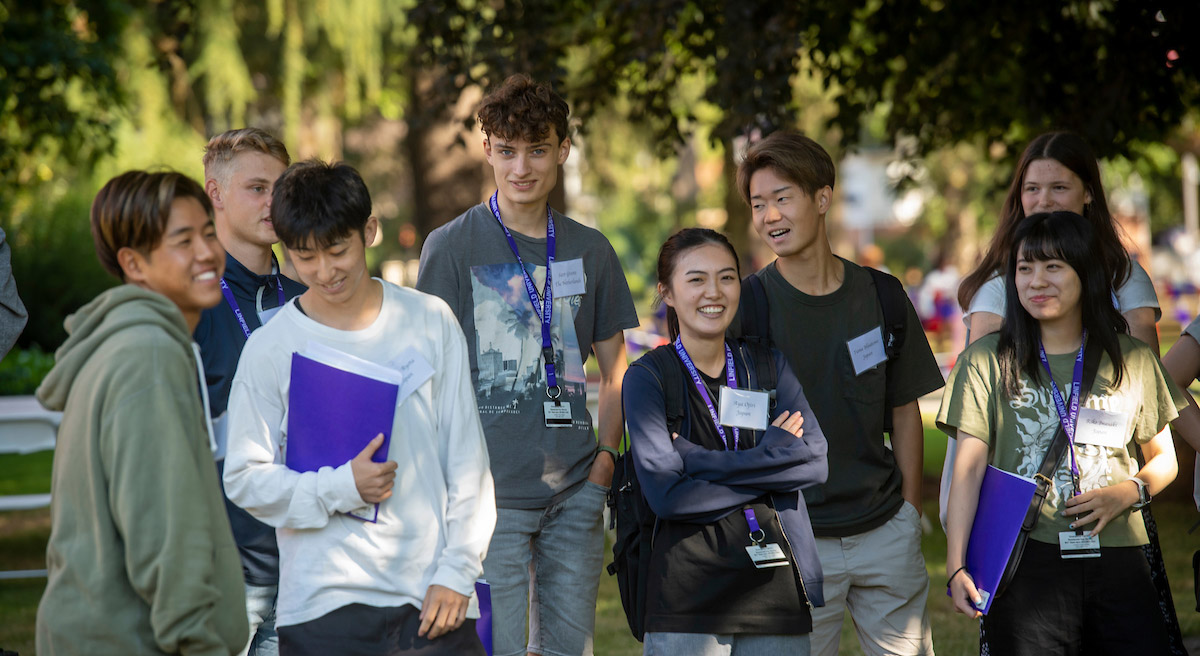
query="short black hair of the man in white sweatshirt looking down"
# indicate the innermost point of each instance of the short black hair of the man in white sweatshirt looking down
(316, 204)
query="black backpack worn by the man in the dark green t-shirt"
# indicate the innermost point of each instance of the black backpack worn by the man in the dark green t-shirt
(893, 302)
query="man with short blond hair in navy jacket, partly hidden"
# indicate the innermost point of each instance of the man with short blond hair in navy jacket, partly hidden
(241, 170)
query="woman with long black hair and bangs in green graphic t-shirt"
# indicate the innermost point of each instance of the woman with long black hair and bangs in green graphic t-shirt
(1006, 399)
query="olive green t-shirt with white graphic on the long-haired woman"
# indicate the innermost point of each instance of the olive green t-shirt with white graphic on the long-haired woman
(1019, 429)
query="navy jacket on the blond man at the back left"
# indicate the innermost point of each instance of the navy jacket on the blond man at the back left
(221, 341)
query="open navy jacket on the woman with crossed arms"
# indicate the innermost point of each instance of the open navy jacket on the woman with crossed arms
(686, 483)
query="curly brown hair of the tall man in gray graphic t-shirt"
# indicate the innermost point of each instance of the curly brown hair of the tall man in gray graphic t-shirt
(524, 110)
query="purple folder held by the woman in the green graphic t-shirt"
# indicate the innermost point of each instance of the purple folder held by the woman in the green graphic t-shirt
(1004, 501)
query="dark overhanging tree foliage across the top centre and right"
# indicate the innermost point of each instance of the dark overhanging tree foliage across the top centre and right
(1117, 71)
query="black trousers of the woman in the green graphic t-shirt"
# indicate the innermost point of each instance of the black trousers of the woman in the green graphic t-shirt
(1075, 607)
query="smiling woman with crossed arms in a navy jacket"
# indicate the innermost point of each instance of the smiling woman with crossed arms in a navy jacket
(735, 564)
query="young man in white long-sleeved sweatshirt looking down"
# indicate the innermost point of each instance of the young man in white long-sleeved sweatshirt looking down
(401, 585)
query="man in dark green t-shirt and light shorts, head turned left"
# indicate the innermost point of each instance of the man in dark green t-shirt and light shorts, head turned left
(827, 317)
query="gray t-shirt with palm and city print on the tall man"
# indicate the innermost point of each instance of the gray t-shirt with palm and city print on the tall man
(469, 263)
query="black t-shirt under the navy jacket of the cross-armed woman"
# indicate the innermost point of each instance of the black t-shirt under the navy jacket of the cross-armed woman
(701, 579)
